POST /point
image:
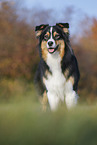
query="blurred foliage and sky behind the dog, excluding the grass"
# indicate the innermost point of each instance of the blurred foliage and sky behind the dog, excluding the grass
(18, 45)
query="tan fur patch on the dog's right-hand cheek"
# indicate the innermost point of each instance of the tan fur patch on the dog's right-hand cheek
(61, 48)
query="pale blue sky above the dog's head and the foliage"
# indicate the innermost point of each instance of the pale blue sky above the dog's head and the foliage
(82, 8)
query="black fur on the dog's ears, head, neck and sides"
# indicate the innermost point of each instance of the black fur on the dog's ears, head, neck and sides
(68, 62)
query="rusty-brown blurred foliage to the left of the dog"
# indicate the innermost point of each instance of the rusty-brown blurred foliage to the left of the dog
(18, 54)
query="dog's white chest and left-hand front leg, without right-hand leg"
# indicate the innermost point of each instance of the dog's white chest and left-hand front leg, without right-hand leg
(55, 82)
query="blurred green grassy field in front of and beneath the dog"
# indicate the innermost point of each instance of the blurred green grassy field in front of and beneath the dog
(22, 122)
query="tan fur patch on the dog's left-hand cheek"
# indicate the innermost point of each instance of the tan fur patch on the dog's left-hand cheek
(44, 50)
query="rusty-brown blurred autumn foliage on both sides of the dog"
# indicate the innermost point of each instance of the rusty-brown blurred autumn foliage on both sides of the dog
(19, 52)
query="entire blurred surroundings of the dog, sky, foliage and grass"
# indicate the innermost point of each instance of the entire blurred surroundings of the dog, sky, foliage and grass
(21, 120)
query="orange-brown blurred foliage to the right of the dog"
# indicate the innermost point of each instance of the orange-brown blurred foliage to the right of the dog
(86, 51)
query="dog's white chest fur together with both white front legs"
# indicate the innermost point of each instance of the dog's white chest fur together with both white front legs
(56, 84)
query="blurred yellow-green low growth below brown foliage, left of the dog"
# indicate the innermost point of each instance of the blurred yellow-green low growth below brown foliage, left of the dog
(16, 90)
